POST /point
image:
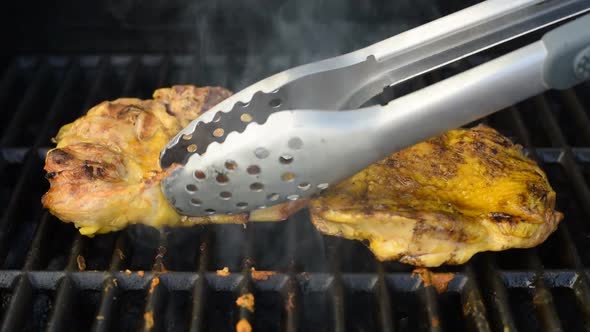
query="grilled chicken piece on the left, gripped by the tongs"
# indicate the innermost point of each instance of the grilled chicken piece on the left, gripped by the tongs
(104, 173)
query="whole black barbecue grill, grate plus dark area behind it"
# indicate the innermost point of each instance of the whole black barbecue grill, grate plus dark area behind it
(52, 278)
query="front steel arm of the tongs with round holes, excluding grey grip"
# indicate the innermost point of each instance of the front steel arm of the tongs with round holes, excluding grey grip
(296, 154)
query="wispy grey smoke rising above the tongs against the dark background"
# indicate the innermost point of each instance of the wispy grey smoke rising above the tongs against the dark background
(241, 43)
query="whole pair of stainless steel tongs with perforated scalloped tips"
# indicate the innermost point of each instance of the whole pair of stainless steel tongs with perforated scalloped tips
(277, 140)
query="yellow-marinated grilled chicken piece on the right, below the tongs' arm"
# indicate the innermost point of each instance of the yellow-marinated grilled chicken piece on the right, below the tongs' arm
(443, 200)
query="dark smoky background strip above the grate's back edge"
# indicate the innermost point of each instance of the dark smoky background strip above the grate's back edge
(210, 26)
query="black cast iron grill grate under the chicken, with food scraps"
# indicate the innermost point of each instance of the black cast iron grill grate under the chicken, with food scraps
(321, 283)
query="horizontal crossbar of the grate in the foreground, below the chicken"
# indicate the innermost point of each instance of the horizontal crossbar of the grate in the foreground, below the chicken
(317, 281)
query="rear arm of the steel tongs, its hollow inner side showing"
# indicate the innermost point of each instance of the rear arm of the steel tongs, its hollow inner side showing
(349, 80)
